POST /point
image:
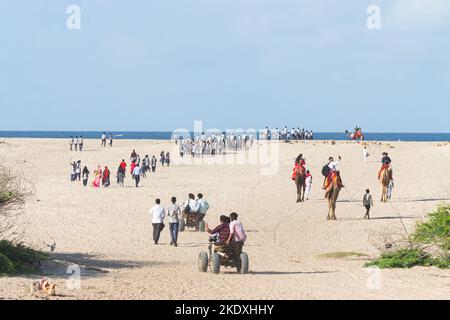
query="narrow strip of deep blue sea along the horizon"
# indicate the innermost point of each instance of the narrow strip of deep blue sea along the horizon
(166, 135)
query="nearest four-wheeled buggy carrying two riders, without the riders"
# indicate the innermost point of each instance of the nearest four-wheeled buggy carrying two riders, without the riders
(223, 255)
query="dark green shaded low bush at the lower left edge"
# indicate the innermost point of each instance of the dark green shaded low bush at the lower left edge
(17, 258)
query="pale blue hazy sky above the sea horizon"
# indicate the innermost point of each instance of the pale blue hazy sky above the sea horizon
(152, 65)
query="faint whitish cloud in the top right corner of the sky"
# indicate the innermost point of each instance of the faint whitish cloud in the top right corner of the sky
(418, 14)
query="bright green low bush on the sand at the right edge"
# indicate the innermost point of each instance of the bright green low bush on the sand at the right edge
(433, 233)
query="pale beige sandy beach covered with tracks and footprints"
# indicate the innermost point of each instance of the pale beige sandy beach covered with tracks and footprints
(108, 232)
